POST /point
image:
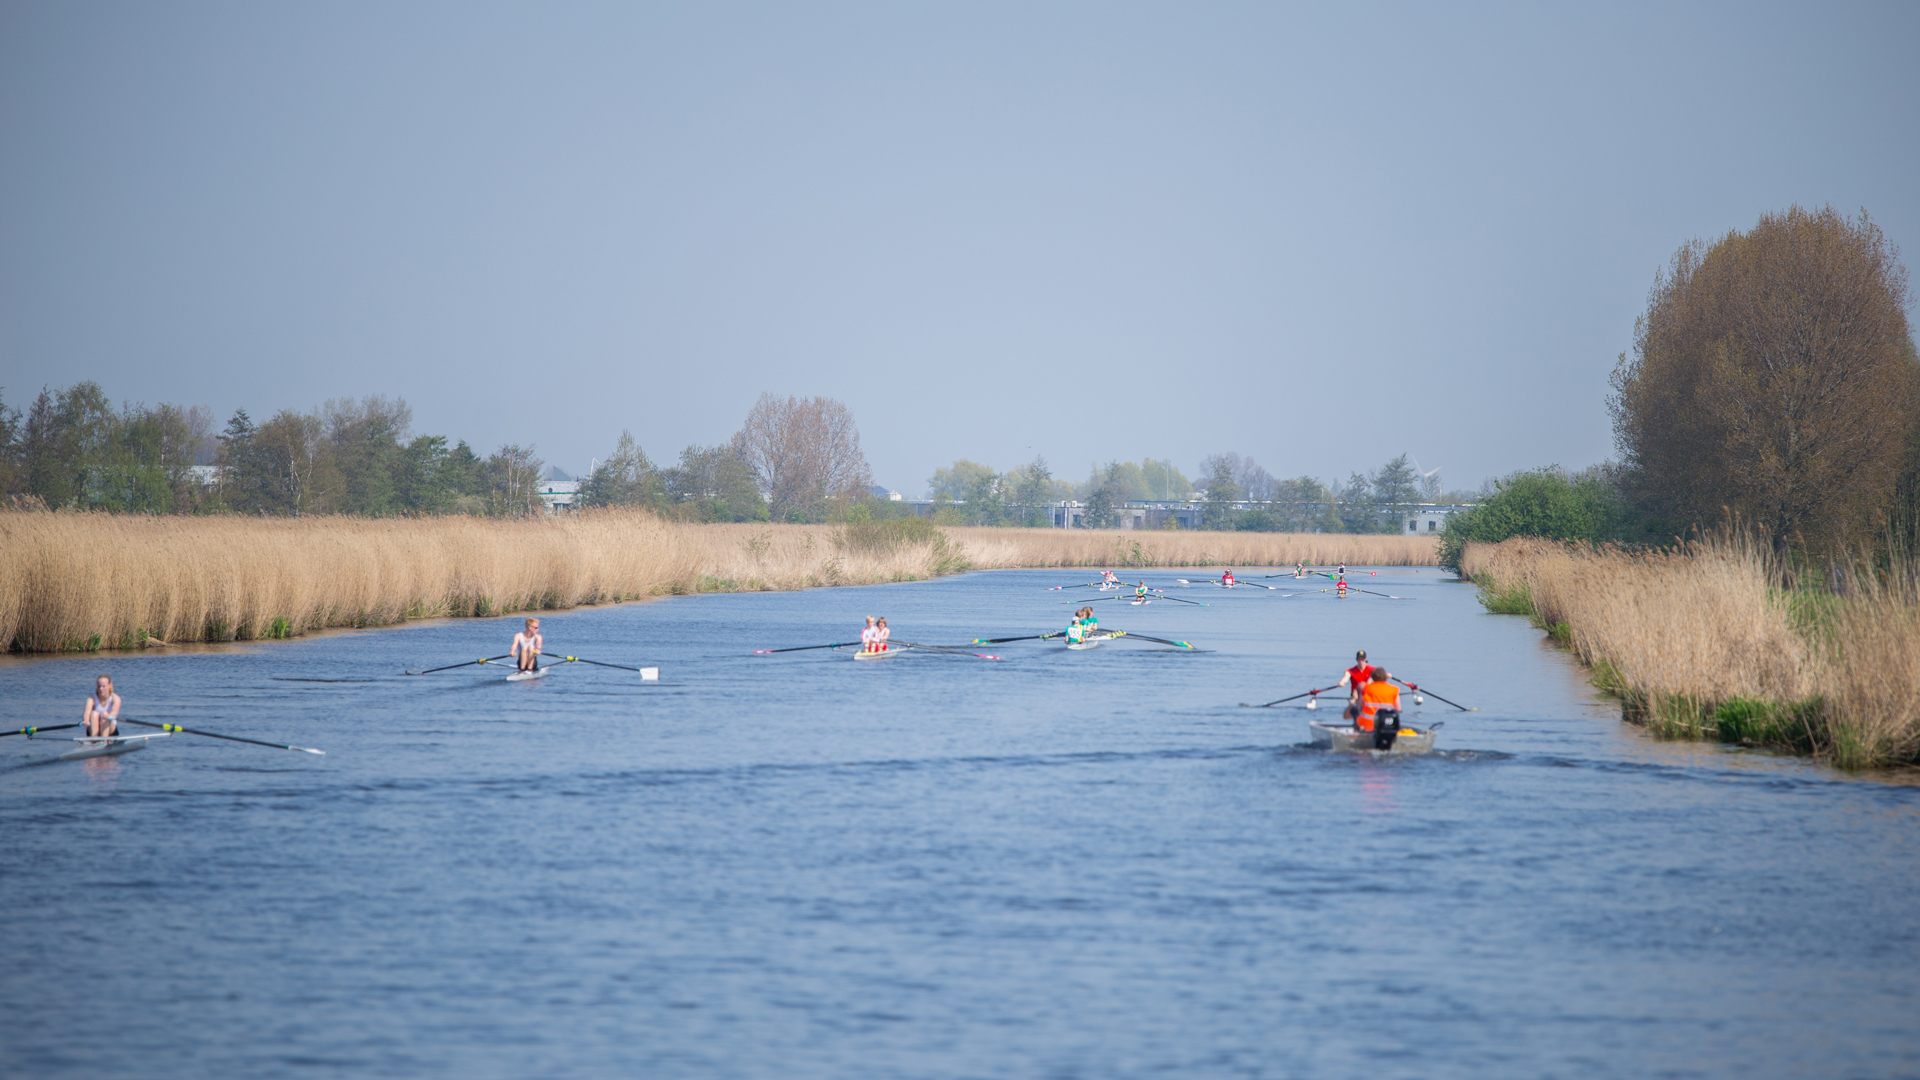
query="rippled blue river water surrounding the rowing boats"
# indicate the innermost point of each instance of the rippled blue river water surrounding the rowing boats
(1061, 866)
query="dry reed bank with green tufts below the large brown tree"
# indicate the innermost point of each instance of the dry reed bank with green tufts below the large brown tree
(1706, 645)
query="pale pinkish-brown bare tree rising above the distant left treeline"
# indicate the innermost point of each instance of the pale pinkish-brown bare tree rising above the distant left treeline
(807, 454)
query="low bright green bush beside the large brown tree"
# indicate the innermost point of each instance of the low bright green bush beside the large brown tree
(1537, 503)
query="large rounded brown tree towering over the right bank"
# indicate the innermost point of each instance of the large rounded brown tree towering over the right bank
(1775, 378)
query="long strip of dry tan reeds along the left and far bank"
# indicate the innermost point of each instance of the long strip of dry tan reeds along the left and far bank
(91, 581)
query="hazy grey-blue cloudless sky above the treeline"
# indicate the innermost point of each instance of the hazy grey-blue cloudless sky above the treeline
(1082, 232)
